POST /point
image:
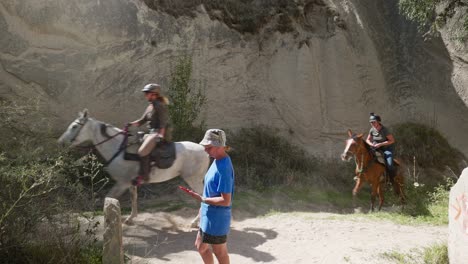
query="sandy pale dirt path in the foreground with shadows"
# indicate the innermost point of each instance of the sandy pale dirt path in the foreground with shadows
(279, 238)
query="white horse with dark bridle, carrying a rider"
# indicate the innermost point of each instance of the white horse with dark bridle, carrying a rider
(191, 161)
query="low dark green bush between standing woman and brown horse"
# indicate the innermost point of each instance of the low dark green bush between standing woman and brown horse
(264, 159)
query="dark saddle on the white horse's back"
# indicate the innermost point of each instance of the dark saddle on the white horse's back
(162, 156)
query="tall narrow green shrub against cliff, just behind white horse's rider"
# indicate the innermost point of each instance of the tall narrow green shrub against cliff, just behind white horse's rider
(187, 101)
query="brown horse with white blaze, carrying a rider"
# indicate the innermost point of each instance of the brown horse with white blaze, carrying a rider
(368, 169)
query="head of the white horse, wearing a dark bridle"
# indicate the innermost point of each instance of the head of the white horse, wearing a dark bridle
(74, 135)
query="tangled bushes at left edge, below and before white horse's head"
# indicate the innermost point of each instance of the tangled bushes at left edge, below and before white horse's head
(39, 201)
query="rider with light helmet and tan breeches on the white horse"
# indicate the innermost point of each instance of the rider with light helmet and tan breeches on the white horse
(157, 117)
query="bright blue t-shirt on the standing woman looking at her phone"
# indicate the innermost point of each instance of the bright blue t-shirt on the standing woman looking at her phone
(216, 220)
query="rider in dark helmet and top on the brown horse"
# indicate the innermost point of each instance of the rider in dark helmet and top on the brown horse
(381, 139)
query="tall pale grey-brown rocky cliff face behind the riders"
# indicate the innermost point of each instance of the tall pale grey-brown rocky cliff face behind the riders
(335, 62)
